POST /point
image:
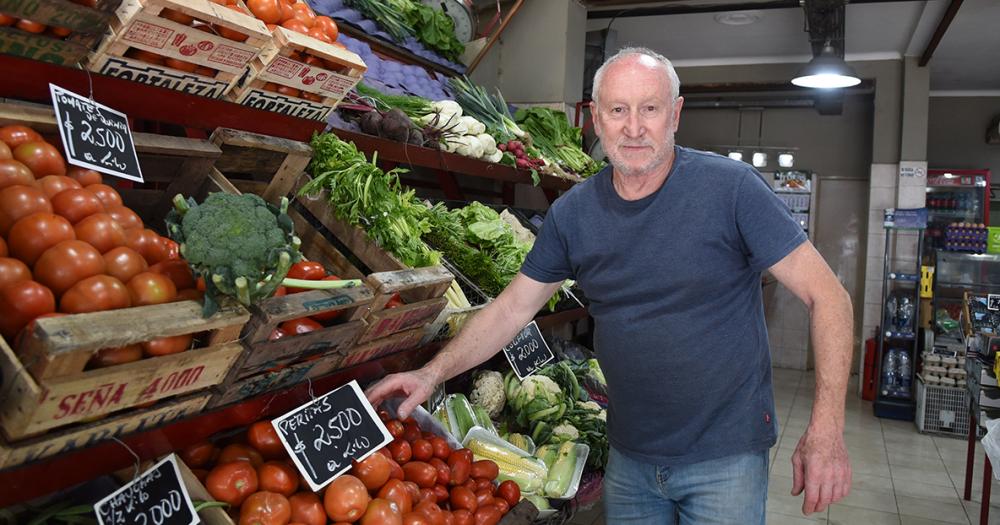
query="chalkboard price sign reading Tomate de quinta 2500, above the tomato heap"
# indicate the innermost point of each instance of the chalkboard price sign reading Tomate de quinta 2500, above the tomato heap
(95, 136)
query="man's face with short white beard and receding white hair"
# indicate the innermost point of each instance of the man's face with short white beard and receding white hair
(635, 117)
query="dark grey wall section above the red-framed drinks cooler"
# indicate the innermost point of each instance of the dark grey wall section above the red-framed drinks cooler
(957, 137)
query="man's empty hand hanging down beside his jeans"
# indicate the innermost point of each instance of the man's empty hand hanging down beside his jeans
(821, 467)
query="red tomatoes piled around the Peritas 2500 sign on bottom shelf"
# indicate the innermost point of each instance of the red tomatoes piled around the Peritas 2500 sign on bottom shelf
(416, 480)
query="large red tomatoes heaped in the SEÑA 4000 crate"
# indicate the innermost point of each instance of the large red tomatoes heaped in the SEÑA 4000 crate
(68, 245)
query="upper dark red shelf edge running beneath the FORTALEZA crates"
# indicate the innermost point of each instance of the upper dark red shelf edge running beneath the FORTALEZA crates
(201, 115)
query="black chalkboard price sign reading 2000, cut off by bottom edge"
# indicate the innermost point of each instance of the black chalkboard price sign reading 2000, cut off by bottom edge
(157, 497)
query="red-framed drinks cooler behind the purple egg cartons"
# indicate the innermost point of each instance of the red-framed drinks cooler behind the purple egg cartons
(954, 196)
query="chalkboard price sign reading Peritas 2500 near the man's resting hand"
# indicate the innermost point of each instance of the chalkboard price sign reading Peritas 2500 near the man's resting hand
(326, 434)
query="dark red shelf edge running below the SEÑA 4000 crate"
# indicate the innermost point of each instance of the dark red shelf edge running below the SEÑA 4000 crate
(43, 477)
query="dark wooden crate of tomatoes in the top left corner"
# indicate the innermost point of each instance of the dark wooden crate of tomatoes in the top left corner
(88, 26)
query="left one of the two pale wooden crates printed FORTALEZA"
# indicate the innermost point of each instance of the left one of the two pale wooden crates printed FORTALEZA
(137, 24)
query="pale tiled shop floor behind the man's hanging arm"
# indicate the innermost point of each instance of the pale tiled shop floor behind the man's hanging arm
(901, 477)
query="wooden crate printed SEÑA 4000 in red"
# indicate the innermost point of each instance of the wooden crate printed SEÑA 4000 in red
(49, 388)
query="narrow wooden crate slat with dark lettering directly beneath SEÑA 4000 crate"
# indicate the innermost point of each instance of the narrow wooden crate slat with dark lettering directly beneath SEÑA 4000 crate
(75, 437)
